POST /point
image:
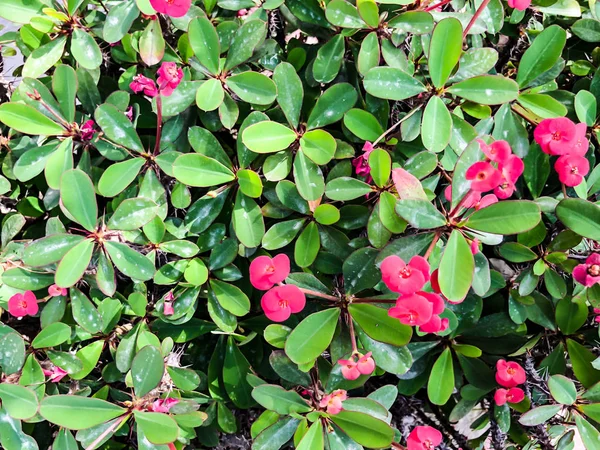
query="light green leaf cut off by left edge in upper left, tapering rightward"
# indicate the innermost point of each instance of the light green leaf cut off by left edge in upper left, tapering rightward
(25, 119)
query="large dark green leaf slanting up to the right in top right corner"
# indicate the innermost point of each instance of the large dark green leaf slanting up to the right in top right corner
(541, 55)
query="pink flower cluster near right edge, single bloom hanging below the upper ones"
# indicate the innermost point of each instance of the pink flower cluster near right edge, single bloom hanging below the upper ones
(563, 138)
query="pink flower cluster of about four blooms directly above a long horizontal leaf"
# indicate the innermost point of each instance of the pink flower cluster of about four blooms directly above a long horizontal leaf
(499, 172)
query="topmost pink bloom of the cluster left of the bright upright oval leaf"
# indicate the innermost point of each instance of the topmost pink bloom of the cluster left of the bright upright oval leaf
(405, 278)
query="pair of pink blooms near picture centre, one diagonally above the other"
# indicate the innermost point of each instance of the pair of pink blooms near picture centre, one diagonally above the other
(281, 301)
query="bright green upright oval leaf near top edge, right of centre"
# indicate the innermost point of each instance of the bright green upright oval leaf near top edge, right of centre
(444, 50)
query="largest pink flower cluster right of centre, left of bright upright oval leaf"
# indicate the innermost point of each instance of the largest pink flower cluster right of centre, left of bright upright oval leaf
(413, 307)
